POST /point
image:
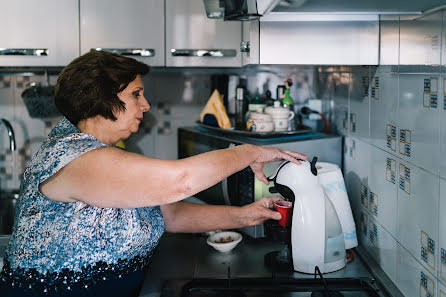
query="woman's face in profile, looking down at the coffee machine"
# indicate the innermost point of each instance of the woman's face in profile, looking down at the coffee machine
(135, 105)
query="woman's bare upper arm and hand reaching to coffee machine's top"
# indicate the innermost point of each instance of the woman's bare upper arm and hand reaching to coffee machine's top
(110, 177)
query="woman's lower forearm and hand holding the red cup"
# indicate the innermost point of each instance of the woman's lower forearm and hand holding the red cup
(191, 217)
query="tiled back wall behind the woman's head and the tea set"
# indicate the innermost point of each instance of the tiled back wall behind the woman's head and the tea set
(176, 97)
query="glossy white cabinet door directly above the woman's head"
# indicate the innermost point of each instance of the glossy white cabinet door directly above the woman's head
(133, 28)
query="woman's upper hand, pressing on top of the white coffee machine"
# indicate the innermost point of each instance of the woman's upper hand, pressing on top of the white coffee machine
(271, 155)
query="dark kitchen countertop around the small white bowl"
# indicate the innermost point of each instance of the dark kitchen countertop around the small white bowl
(187, 256)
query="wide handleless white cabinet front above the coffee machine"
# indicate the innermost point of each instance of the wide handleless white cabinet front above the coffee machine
(313, 40)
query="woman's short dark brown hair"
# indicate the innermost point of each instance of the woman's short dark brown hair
(89, 85)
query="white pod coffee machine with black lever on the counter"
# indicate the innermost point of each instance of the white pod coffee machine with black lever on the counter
(316, 234)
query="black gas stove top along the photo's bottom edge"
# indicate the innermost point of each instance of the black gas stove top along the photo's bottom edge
(256, 287)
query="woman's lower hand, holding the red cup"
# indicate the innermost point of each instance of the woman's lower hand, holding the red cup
(258, 212)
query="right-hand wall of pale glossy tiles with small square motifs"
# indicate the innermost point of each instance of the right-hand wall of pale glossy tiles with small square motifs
(395, 168)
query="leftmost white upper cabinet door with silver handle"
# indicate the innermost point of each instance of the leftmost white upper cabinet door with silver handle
(39, 33)
